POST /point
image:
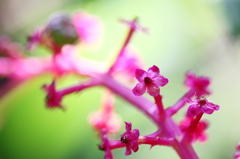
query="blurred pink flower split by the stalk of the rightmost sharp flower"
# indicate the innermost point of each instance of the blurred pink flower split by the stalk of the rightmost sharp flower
(199, 133)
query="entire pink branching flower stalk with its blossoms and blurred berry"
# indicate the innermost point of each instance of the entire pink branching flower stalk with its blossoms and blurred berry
(65, 36)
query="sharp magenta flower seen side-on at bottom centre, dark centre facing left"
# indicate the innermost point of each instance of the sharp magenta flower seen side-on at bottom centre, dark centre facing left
(130, 138)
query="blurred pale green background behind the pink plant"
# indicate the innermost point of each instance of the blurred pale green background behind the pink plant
(198, 35)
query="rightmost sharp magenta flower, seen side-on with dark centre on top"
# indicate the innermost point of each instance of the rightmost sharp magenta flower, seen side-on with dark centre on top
(201, 104)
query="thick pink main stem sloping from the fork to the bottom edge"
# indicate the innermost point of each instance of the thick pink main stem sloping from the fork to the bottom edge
(185, 151)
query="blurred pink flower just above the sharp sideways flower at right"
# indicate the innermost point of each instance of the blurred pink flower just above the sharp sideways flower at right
(199, 84)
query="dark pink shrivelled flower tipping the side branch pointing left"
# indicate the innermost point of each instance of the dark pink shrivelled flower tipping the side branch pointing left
(53, 98)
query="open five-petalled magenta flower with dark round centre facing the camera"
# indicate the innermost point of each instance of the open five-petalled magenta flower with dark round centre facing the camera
(150, 81)
